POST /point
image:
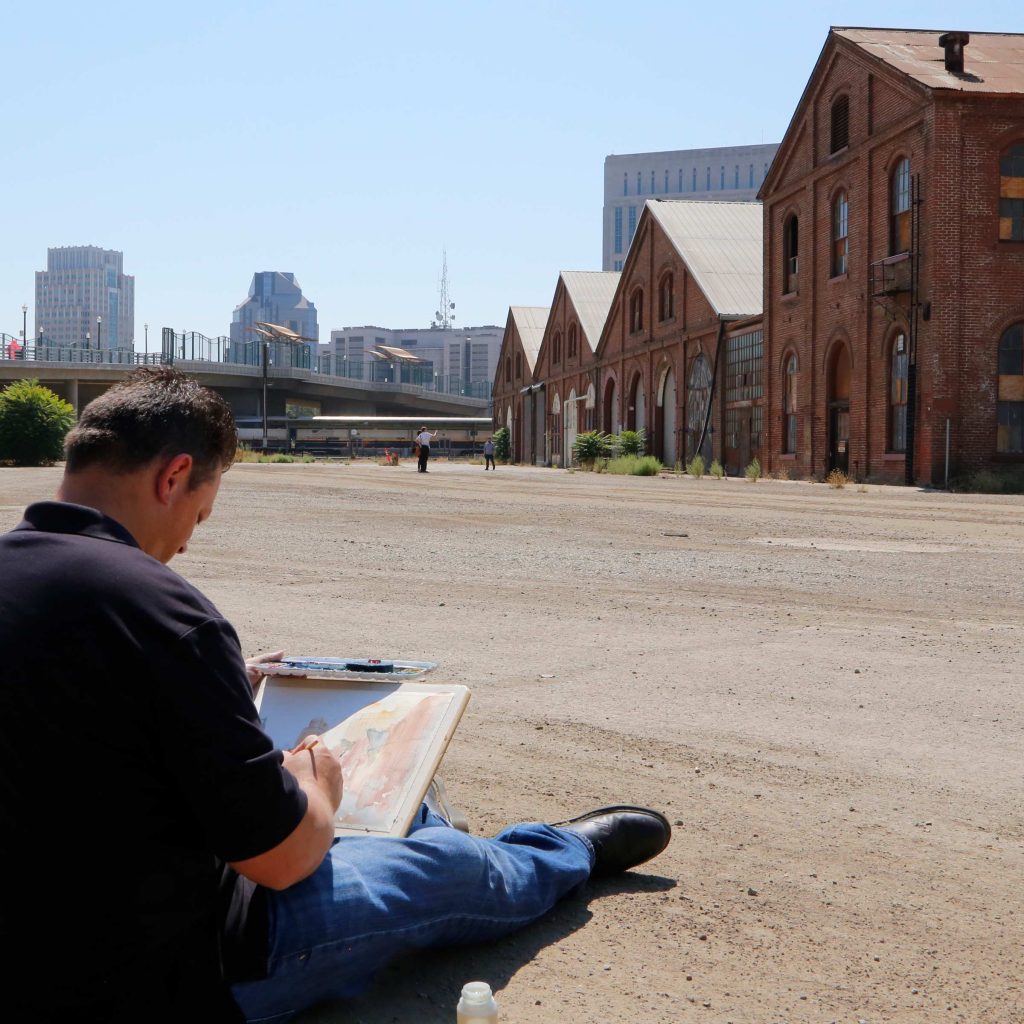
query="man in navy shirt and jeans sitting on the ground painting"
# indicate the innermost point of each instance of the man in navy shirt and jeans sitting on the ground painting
(157, 847)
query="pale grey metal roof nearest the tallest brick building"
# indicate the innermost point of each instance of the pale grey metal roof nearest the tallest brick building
(721, 245)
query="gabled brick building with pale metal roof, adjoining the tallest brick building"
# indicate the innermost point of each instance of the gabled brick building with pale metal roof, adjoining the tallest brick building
(687, 313)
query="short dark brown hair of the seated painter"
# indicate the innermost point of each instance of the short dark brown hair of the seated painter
(154, 413)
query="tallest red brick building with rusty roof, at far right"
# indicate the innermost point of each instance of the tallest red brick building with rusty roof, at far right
(894, 260)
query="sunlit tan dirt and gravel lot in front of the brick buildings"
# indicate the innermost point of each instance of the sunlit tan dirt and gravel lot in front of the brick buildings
(823, 689)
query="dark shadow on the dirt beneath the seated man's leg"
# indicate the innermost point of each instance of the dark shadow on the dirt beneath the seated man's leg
(425, 987)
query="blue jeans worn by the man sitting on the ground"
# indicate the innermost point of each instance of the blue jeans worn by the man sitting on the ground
(373, 899)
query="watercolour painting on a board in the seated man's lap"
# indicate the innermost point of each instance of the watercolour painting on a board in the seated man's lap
(391, 737)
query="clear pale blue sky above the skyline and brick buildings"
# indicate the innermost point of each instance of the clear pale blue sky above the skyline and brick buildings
(350, 144)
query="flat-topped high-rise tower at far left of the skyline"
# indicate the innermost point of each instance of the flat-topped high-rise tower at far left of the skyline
(86, 300)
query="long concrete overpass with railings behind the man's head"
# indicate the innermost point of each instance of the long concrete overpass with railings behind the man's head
(80, 382)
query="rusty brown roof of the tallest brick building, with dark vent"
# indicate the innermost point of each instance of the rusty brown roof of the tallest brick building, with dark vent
(994, 62)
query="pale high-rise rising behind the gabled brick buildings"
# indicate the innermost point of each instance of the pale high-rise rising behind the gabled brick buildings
(734, 174)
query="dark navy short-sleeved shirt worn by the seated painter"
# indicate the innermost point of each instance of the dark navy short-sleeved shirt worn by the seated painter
(133, 769)
